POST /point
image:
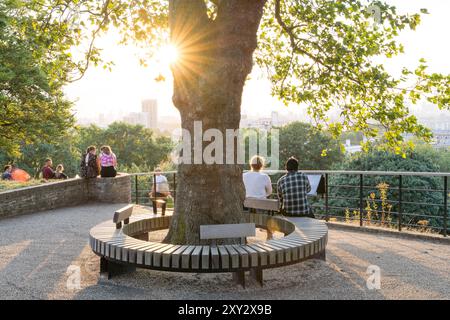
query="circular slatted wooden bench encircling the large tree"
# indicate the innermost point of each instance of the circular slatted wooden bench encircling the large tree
(123, 249)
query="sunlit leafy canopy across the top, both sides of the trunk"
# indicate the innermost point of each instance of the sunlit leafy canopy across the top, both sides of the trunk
(318, 53)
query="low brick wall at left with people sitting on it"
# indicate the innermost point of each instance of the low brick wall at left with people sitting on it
(66, 193)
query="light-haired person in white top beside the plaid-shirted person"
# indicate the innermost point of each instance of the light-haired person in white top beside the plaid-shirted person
(257, 184)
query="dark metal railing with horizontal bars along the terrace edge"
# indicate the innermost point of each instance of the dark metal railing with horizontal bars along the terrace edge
(411, 200)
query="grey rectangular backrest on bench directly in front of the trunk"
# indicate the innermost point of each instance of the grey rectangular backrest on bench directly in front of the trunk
(227, 231)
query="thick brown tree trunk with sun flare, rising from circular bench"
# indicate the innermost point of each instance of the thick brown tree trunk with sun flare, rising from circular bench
(215, 59)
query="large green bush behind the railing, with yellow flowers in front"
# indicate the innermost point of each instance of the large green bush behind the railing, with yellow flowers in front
(419, 160)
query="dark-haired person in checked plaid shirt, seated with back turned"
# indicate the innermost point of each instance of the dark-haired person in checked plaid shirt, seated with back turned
(292, 189)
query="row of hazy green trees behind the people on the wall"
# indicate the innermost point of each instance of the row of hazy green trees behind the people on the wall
(138, 149)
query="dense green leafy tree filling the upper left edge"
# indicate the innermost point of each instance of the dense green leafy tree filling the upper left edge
(34, 65)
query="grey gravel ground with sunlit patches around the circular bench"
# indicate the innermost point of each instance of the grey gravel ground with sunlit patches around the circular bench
(41, 253)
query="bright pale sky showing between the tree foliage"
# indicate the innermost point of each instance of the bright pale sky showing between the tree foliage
(123, 89)
